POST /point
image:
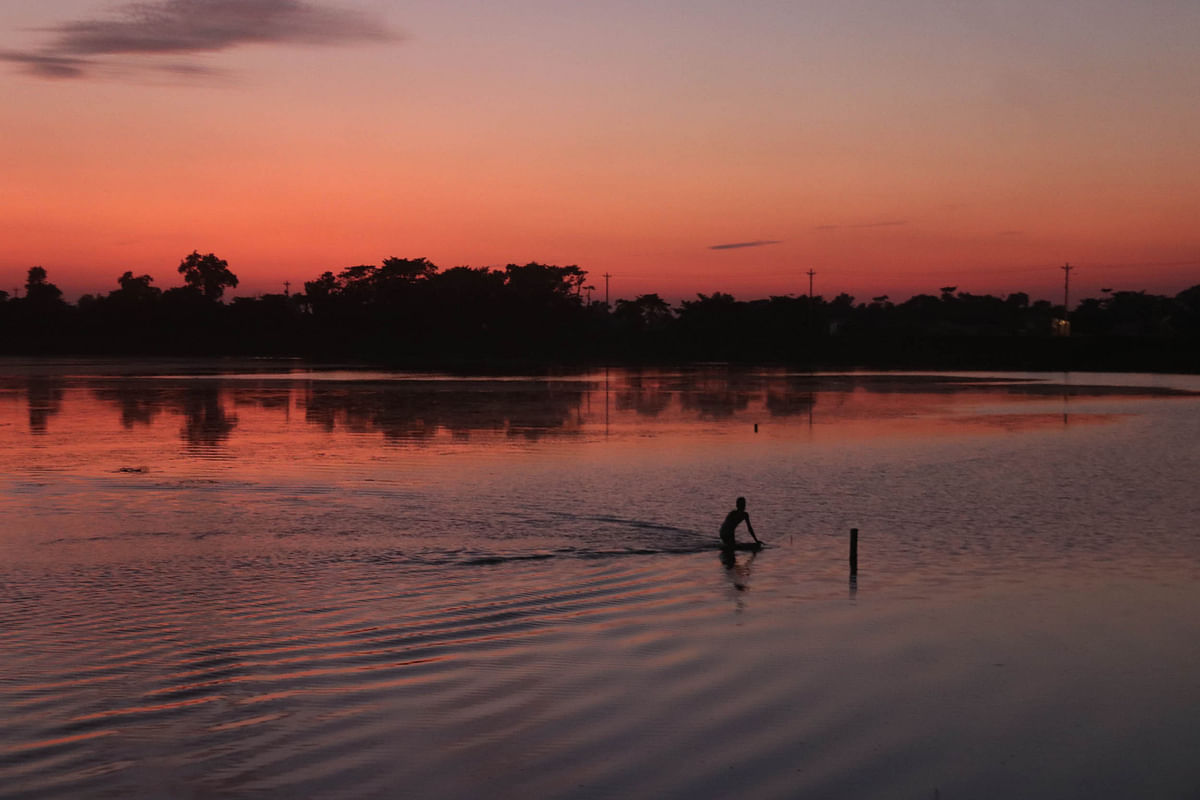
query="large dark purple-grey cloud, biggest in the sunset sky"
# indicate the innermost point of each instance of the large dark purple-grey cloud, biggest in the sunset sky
(175, 28)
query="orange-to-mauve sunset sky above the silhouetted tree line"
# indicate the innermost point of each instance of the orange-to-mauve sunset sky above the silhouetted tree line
(893, 147)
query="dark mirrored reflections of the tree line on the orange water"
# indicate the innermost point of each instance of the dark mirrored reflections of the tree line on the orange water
(417, 411)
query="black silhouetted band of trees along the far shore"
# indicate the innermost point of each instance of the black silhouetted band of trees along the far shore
(410, 314)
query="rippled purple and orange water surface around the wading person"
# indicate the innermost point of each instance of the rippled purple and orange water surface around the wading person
(267, 582)
